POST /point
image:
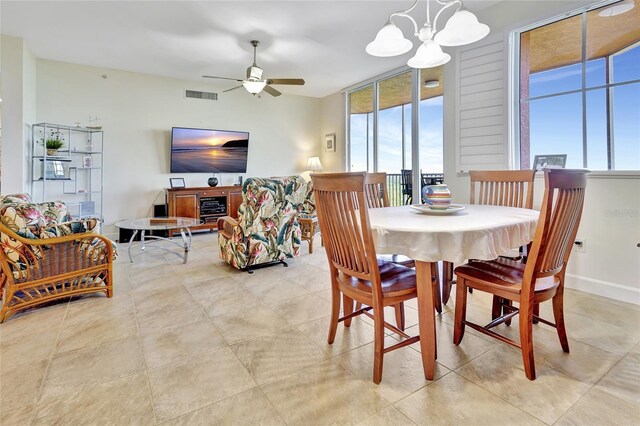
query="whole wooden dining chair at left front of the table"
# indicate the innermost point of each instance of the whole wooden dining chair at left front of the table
(356, 273)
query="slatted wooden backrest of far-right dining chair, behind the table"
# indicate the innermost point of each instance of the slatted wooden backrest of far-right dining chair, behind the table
(511, 188)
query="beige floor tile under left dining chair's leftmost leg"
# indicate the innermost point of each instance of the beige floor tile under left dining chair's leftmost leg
(347, 338)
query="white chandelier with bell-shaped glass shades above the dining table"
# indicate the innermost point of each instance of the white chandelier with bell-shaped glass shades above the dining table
(462, 28)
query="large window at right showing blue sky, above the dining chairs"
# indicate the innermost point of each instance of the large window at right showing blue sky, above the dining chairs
(579, 85)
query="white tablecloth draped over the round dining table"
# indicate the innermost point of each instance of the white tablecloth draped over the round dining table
(478, 232)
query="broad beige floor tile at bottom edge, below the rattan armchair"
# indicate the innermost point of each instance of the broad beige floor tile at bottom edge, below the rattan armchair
(121, 401)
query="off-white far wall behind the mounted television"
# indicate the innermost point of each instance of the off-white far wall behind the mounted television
(137, 112)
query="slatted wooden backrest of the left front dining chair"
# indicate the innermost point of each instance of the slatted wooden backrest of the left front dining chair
(344, 224)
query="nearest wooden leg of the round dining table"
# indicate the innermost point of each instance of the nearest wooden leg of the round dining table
(426, 318)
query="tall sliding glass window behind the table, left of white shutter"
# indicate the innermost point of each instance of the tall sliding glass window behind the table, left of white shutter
(391, 148)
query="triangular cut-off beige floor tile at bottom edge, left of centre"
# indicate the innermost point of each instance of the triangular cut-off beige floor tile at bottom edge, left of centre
(248, 408)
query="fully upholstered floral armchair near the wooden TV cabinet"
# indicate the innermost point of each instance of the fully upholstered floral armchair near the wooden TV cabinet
(267, 228)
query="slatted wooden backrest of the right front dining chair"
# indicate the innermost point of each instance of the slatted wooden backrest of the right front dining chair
(557, 225)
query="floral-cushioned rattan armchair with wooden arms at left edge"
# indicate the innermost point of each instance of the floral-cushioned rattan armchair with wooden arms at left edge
(46, 255)
